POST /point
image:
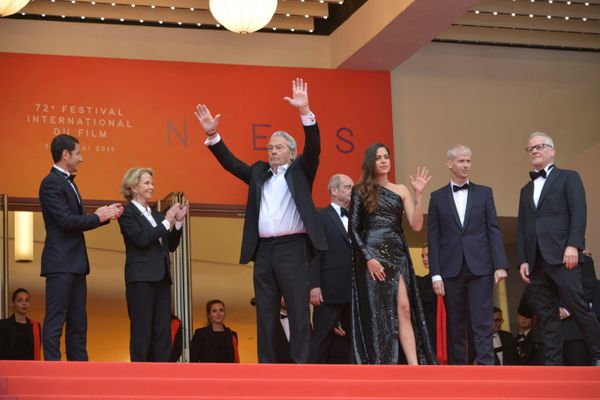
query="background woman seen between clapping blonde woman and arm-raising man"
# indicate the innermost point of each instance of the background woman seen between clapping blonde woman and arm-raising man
(215, 342)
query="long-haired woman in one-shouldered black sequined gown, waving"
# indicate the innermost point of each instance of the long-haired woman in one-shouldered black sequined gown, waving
(389, 325)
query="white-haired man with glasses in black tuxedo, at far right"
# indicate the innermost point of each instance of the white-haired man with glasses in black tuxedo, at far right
(550, 236)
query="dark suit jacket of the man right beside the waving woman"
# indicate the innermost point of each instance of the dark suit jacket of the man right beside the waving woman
(479, 241)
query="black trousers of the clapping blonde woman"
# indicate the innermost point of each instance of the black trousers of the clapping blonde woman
(149, 308)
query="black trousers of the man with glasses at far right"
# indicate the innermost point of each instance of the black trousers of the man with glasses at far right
(552, 286)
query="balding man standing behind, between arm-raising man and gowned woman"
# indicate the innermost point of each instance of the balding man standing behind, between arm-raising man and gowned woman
(331, 278)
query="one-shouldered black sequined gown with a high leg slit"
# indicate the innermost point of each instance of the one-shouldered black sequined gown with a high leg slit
(379, 235)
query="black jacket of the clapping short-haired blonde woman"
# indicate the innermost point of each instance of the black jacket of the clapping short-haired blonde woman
(146, 260)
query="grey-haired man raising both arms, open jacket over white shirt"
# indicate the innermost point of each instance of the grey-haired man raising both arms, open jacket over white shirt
(281, 229)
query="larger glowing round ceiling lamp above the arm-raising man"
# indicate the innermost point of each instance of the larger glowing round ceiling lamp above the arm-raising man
(242, 16)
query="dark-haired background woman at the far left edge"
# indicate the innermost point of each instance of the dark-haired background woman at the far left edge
(19, 335)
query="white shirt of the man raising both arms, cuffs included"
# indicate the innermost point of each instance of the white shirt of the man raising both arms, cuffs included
(278, 214)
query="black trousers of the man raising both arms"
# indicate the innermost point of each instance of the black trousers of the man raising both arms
(281, 269)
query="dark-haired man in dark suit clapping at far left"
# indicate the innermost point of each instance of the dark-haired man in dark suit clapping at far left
(64, 258)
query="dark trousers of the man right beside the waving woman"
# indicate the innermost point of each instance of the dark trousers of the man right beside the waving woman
(469, 298)
